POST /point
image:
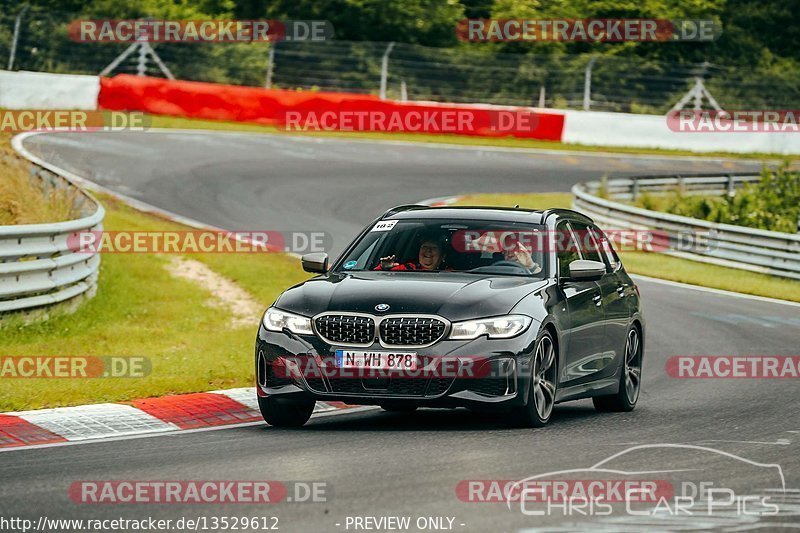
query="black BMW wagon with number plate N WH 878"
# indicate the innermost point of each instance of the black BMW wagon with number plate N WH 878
(507, 310)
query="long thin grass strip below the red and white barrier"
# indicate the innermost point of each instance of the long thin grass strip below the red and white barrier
(162, 121)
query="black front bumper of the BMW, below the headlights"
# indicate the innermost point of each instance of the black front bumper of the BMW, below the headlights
(481, 373)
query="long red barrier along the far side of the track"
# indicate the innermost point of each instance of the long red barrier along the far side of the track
(248, 104)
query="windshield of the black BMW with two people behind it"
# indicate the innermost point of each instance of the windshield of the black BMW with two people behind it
(473, 246)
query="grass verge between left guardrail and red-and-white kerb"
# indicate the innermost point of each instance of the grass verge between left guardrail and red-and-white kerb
(142, 310)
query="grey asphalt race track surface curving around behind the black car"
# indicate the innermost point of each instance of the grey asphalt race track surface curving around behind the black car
(380, 464)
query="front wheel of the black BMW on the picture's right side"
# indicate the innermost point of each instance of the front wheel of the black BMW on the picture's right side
(542, 387)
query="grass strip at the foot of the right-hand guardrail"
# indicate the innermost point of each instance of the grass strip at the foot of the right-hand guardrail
(659, 265)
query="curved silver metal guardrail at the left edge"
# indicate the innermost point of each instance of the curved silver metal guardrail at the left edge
(37, 265)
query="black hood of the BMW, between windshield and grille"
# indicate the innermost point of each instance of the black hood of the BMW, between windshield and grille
(451, 295)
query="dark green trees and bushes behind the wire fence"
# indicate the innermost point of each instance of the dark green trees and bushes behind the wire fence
(754, 64)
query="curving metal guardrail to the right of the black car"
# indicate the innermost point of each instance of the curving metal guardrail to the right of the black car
(768, 252)
